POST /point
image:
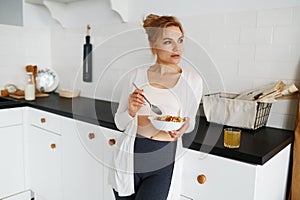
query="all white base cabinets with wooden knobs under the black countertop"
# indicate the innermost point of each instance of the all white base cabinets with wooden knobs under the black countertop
(70, 159)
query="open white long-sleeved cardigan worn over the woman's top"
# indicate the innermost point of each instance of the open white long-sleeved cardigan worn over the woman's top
(188, 91)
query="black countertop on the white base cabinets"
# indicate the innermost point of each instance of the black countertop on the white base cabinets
(256, 147)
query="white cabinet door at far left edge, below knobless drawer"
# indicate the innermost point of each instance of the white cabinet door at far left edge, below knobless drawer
(12, 164)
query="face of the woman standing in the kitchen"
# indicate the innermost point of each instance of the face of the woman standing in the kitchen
(169, 47)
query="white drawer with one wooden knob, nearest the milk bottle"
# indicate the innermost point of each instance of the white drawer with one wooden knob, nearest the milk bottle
(44, 120)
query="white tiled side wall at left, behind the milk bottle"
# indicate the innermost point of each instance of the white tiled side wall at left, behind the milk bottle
(19, 47)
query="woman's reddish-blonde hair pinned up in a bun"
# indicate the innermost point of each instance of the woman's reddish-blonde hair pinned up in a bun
(155, 24)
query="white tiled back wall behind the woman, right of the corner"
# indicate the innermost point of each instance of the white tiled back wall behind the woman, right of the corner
(247, 49)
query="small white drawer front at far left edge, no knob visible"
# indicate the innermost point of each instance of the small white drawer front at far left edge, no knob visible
(11, 116)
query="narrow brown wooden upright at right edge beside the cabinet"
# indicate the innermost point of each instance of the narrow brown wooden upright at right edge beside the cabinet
(295, 190)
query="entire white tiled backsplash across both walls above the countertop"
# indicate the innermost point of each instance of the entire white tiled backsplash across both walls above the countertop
(233, 52)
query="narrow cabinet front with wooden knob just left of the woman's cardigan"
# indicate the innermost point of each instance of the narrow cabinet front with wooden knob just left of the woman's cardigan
(111, 139)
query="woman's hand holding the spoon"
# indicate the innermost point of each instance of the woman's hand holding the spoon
(136, 101)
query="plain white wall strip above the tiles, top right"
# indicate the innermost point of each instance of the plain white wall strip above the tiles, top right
(139, 8)
